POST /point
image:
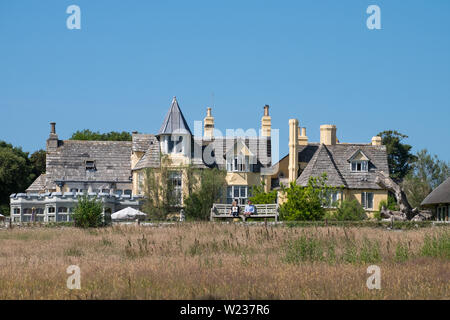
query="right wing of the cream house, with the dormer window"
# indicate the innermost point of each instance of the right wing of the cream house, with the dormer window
(350, 167)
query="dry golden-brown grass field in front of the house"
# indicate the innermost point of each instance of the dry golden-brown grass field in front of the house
(224, 261)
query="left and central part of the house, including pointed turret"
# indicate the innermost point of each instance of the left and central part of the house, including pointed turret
(114, 170)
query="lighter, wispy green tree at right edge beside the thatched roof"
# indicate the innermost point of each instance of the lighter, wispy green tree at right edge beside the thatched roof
(427, 173)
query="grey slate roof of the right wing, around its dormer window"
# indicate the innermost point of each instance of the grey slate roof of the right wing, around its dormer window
(334, 161)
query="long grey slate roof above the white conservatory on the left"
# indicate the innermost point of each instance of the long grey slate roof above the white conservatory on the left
(68, 162)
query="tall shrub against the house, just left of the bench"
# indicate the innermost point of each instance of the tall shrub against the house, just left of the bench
(212, 184)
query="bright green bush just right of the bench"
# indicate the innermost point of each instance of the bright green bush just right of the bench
(306, 203)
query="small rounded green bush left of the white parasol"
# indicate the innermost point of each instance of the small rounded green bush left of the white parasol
(88, 212)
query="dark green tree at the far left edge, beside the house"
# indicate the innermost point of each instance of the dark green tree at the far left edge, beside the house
(15, 173)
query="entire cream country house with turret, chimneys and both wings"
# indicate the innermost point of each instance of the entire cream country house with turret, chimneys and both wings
(115, 171)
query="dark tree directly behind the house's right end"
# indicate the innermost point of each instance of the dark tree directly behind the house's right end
(399, 154)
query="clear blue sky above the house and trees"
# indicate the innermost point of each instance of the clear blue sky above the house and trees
(311, 60)
